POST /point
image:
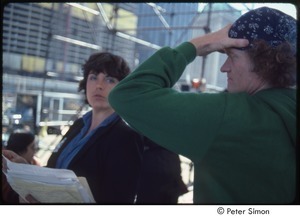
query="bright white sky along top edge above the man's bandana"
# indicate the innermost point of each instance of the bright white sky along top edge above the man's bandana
(287, 8)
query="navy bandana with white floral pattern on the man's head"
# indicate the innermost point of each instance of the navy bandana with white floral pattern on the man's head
(271, 25)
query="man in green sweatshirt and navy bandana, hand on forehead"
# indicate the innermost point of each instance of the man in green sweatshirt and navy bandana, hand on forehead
(242, 142)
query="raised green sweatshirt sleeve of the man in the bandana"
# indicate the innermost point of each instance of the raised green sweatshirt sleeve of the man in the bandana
(185, 123)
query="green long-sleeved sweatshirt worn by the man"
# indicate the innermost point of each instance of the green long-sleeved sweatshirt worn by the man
(243, 146)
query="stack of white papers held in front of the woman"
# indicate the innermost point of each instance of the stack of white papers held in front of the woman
(47, 185)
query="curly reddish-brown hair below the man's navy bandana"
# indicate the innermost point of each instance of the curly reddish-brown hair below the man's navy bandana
(276, 65)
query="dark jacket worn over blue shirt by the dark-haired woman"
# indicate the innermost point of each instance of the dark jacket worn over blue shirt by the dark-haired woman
(110, 161)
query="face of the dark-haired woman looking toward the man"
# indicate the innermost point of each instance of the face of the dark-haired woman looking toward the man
(98, 87)
